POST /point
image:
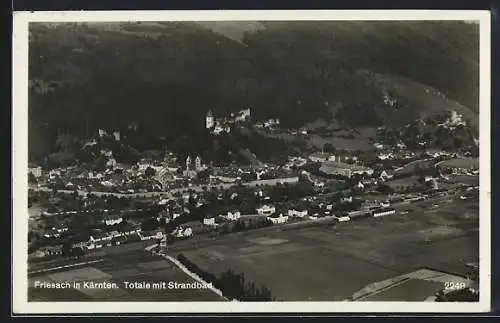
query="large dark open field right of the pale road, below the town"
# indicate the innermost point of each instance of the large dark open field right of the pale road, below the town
(332, 263)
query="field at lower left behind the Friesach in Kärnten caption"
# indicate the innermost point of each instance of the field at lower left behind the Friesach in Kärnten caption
(119, 267)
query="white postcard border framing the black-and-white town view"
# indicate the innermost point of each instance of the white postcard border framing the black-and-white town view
(20, 162)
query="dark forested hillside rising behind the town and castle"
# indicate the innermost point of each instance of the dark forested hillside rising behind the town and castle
(164, 77)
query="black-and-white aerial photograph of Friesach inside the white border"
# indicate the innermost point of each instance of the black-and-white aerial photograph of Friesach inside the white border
(253, 161)
